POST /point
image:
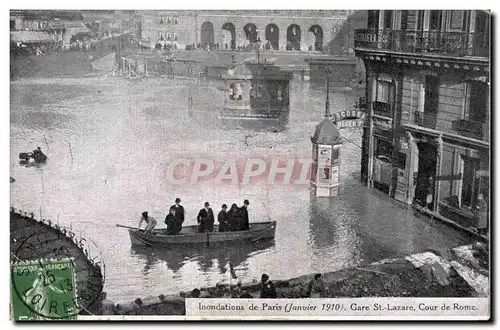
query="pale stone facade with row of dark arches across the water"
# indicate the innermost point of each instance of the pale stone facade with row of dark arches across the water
(298, 30)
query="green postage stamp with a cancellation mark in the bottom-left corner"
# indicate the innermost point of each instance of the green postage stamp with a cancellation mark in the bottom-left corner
(44, 290)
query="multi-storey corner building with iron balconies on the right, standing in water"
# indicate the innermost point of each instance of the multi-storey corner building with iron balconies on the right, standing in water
(427, 140)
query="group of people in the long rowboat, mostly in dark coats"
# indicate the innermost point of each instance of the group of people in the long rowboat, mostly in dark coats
(234, 219)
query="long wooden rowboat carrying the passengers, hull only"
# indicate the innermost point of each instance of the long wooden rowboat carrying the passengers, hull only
(190, 236)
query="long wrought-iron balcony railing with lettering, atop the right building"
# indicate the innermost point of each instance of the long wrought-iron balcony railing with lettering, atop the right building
(433, 42)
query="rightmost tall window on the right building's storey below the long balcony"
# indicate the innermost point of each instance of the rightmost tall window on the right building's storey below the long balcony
(476, 96)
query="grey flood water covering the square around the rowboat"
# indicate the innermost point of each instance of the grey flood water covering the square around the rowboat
(110, 142)
